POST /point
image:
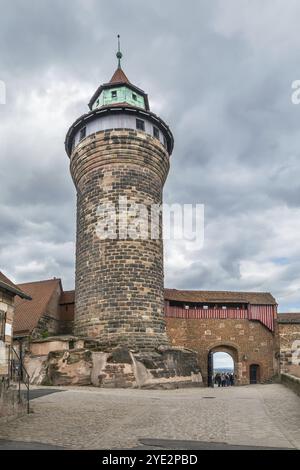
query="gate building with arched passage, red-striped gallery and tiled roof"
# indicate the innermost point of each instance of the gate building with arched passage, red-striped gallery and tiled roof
(243, 324)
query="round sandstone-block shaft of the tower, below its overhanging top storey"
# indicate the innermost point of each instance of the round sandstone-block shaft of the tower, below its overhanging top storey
(119, 282)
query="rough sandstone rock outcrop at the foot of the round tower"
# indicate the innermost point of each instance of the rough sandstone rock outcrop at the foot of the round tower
(119, 368)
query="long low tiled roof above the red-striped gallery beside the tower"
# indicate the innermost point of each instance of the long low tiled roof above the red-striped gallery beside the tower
(257, 298)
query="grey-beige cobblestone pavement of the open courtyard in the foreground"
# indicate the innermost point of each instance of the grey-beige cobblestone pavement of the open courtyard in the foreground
(89, 418)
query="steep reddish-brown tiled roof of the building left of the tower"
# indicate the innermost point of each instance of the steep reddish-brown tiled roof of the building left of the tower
(27, 314)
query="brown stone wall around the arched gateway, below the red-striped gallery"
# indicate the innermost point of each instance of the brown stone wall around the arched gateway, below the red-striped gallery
(248, 342)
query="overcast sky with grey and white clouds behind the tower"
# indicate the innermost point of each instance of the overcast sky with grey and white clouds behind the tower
(218, 72)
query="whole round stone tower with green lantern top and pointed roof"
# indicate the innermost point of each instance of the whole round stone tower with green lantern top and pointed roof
(119, 149)
